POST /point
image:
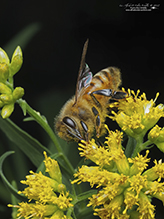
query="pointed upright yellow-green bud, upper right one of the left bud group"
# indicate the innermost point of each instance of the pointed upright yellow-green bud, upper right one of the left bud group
(16, 61)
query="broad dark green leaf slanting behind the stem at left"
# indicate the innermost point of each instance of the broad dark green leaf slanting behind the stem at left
(29, 145)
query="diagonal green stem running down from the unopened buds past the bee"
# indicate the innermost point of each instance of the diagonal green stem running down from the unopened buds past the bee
(44, 124)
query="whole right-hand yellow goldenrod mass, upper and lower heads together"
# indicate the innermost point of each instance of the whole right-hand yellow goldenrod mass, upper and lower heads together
(125, 185)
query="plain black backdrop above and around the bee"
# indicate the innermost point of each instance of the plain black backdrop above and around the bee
(132, 41)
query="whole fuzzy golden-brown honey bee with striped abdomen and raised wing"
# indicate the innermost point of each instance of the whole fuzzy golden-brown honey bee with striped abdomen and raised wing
(85, 113)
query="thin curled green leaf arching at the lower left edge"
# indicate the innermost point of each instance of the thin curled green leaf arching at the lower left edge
(6, 182)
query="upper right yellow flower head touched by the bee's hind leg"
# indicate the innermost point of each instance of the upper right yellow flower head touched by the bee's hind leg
(137, 115)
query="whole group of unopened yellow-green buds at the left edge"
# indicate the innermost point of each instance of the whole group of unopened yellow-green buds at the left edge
(9, 95)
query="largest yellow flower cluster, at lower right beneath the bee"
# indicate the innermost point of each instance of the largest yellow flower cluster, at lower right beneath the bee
(124, 187)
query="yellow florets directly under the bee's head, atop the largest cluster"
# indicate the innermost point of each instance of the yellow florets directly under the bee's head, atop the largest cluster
(105, 156)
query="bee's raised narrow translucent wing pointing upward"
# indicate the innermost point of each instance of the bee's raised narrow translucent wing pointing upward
(84, 76)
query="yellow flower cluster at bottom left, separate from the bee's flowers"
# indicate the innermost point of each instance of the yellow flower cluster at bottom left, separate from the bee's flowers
(48, 195)
